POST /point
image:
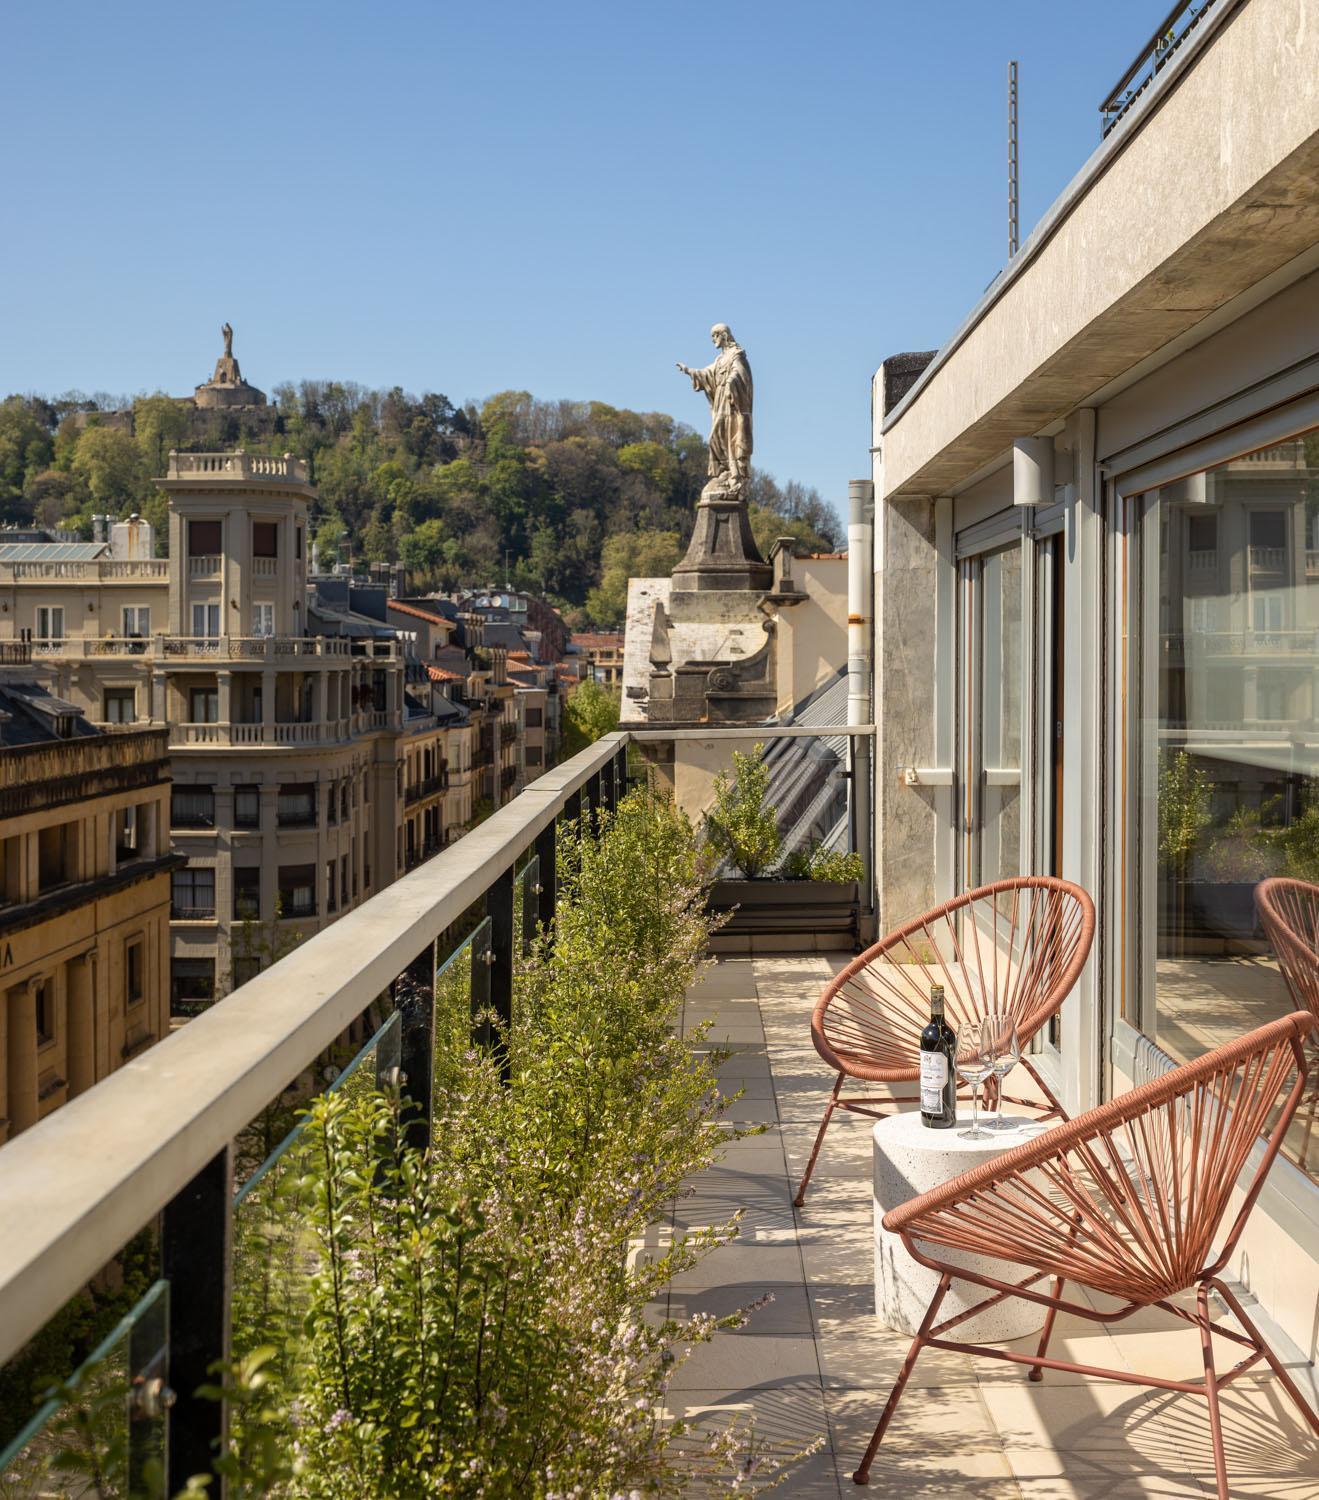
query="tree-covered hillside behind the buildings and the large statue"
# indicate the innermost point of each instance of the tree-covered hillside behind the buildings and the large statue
(560, 497)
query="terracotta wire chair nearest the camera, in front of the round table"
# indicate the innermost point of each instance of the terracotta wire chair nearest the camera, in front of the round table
(1126, 1201)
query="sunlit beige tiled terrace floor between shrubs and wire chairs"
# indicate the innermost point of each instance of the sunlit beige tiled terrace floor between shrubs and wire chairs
(816, 1363)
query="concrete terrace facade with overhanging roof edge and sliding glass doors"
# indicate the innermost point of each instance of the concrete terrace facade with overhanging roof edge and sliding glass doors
(1098, 584)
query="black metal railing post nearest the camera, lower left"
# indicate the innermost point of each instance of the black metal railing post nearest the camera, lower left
(197, 1261)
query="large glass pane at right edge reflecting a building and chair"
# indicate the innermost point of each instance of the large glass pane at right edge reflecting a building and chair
(1224, 782)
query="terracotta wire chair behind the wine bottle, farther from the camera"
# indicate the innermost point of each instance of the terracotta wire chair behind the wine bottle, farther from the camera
(1017, 946)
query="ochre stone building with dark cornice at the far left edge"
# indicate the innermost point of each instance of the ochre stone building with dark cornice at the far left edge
(85, 899)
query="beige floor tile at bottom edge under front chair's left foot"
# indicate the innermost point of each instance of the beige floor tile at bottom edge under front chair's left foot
(940, 1445)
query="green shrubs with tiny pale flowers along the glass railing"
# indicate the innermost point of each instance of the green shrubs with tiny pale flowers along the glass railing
(470, 1322)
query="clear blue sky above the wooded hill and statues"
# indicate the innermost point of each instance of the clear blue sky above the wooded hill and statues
(557, 197)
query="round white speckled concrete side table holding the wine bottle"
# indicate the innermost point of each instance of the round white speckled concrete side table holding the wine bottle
(910, 1160)
